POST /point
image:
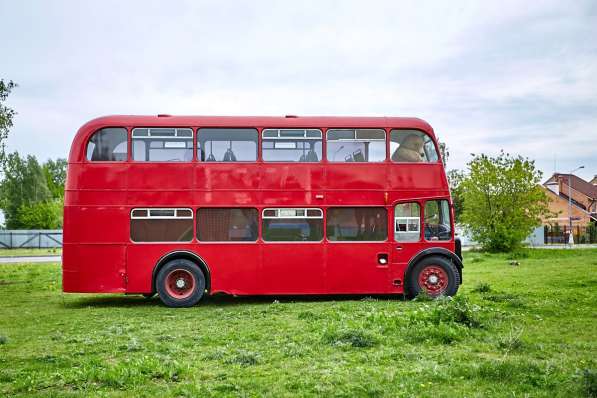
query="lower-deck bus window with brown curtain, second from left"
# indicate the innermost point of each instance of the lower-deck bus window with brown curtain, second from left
(227, 225)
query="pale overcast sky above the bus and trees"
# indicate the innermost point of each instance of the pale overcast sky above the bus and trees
(512, 75)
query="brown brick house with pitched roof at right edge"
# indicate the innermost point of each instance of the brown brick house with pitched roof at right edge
(583, 199)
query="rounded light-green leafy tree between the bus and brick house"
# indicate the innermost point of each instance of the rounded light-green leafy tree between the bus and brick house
(503, 200)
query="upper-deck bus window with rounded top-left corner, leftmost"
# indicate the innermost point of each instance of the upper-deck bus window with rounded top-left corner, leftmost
(108, 145)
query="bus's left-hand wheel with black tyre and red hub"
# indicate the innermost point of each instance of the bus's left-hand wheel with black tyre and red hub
(182, 271)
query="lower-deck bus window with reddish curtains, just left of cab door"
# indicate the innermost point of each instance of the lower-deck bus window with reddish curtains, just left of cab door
(357, 224)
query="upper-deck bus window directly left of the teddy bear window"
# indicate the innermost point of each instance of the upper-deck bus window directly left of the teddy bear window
(356, 145)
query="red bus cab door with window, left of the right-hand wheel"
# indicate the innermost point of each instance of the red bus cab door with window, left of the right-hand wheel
(406, 239)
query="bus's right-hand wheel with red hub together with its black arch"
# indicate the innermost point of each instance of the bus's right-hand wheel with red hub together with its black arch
(440, 273)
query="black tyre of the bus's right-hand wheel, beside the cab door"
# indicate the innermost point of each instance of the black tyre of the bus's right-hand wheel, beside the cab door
(432, 266)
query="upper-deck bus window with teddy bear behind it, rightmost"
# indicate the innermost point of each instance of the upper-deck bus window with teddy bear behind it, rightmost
(412, 146)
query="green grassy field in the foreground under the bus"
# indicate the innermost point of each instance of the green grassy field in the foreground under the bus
(526, 330)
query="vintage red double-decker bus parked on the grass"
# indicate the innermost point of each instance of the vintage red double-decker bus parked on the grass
(184, 206)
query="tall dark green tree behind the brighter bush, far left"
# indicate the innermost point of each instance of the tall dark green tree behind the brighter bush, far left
(24, 184)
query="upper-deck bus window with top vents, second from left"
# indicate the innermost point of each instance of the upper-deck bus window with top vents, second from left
(162, 144)
